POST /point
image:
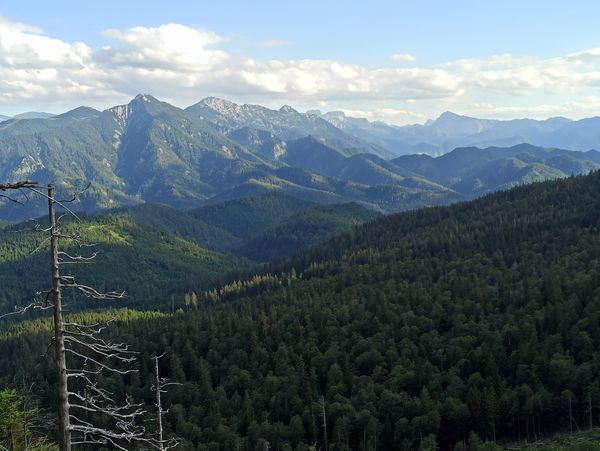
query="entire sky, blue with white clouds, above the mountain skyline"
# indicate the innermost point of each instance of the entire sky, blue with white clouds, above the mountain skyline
(397, 61)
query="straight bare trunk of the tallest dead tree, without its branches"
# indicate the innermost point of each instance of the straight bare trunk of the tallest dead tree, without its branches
(64, 431)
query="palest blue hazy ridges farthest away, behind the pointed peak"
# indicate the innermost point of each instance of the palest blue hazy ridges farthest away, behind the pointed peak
(359, 135)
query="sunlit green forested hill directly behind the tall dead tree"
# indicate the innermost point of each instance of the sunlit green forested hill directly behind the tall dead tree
(145, 262)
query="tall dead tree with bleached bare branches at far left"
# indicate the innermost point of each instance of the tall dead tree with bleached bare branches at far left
(82, 342)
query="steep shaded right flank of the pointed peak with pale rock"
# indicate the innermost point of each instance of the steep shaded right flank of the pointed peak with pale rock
(167, 157)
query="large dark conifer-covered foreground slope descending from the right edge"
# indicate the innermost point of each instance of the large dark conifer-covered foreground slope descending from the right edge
(420, 328)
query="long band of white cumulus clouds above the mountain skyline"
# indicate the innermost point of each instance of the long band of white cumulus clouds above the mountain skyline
(182, 64)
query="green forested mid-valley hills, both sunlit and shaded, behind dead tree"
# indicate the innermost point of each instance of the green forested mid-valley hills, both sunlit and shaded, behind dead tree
(158, 254)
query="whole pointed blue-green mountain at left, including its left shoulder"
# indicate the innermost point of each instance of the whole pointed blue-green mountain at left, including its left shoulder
(144, 151)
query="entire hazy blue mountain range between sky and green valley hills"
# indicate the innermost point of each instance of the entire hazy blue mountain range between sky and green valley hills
(215, 150)
